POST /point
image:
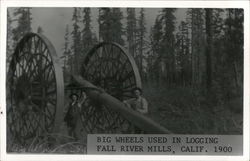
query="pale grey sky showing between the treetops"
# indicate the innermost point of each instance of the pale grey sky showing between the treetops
(54, 20)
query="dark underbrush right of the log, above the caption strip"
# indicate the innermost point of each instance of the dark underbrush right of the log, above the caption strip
(187, 111)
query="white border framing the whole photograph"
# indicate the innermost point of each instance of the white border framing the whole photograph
(118, 3)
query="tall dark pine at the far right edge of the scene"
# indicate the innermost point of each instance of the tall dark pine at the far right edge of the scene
(234, 46)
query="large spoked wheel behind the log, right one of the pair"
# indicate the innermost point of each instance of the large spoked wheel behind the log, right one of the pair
(112, 69)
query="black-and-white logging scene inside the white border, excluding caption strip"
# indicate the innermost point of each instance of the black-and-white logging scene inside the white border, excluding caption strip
(76, 71)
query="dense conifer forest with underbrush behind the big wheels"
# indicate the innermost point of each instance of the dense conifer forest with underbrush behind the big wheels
(191, 68)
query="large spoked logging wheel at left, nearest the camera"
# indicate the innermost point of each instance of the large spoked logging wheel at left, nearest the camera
(35, 89)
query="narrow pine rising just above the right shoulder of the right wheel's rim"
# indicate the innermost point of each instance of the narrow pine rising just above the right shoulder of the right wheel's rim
(131, 31)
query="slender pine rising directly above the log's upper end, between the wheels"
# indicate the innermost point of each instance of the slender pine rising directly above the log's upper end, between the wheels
(76, 37)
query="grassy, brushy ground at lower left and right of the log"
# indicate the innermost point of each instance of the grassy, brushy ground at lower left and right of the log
(180, 110)
